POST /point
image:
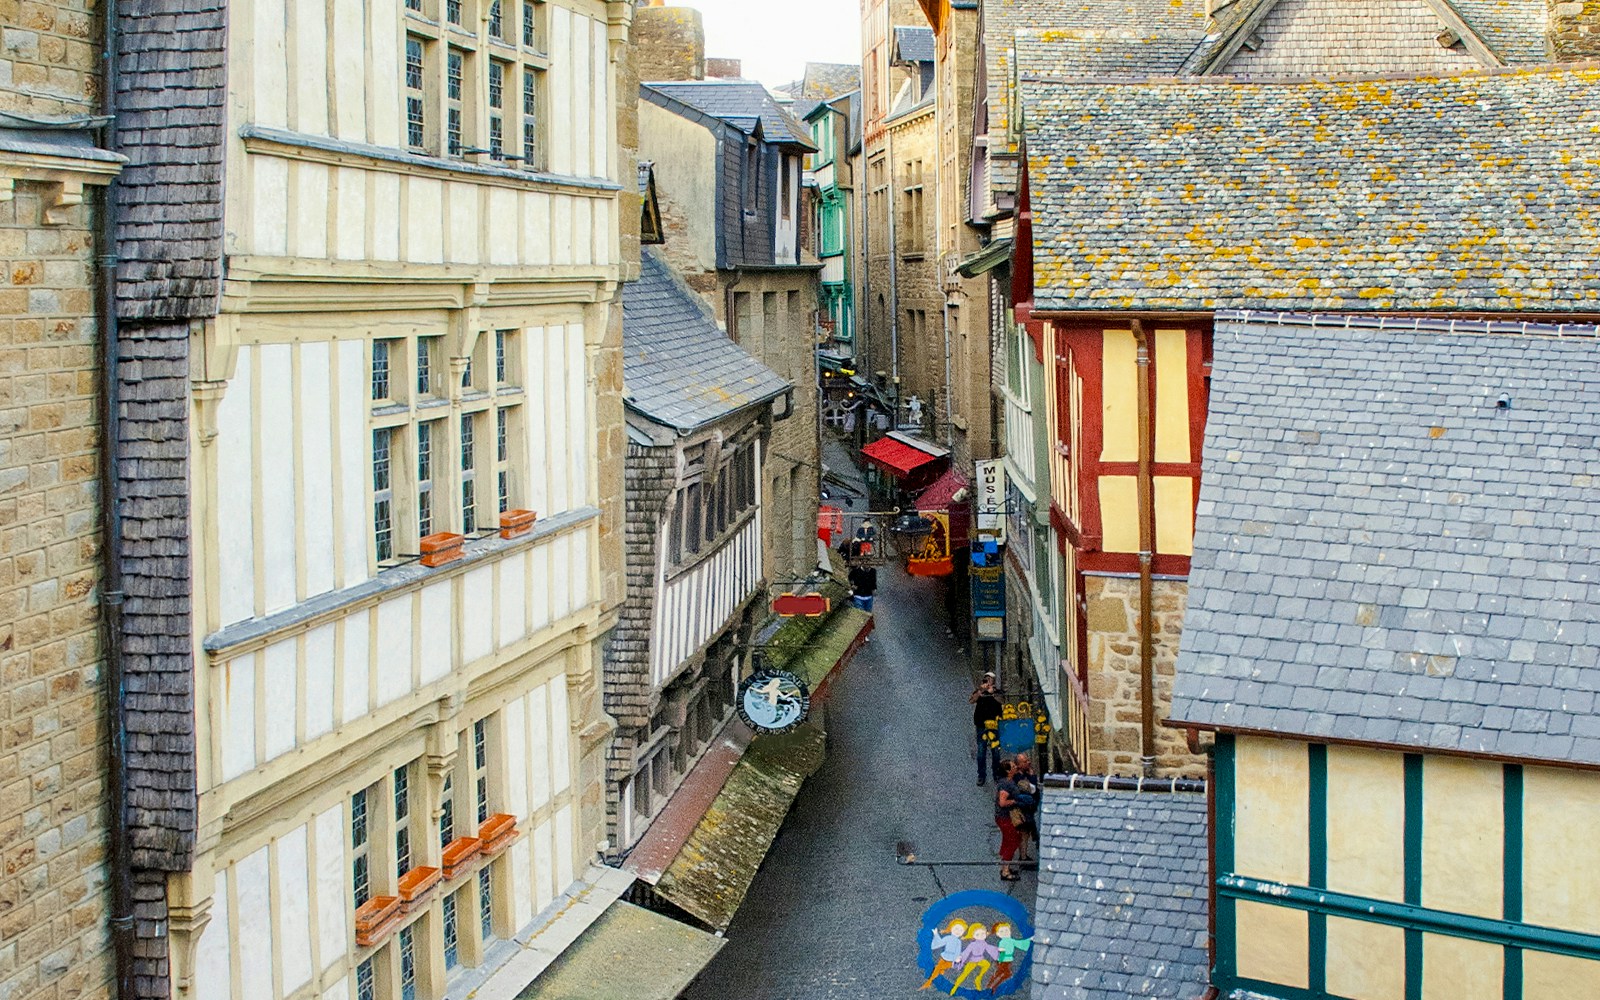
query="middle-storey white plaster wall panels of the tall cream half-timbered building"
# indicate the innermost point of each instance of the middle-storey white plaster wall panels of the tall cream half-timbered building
(295, 436)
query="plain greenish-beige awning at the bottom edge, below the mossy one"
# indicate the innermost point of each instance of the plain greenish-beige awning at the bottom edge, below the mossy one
(628, 953)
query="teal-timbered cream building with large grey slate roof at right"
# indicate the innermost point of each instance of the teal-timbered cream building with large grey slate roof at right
(1393, 633)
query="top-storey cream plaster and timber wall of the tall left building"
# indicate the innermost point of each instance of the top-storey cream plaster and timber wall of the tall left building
(324, 166)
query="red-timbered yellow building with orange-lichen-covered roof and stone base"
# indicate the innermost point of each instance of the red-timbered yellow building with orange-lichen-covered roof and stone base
(1366, 201)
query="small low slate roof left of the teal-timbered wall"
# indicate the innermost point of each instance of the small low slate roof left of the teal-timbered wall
(1122, 895)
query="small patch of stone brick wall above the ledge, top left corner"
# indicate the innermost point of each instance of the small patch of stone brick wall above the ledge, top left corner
(49, 57)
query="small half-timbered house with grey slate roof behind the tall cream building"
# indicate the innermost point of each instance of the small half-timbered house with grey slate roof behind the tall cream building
(700, 417)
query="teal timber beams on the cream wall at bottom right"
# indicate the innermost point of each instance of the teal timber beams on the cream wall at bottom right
(1319, 903)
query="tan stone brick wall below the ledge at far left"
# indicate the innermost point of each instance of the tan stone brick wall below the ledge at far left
(54, 900)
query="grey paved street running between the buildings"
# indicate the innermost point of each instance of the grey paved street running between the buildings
(834, 914)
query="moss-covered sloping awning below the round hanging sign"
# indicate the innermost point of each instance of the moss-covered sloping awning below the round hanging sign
(718, 865)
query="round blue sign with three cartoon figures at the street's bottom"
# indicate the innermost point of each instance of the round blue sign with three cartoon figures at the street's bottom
(977, 943)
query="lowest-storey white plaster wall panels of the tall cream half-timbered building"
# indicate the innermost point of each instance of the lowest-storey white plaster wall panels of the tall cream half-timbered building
(281, 921)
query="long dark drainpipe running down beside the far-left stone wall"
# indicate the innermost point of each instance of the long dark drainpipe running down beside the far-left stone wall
(111, 524)
